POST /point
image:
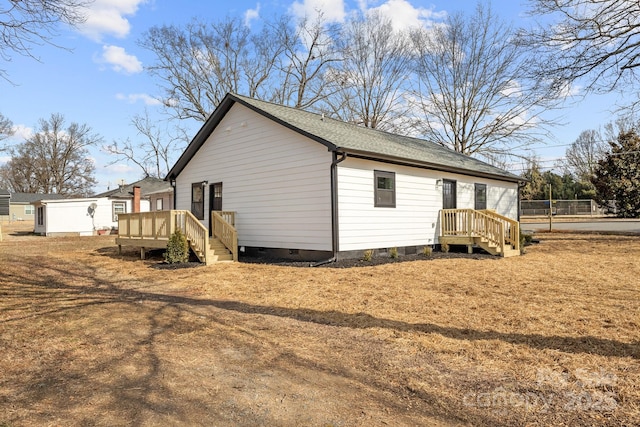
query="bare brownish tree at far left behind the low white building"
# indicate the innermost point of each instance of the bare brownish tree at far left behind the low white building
(54, 160)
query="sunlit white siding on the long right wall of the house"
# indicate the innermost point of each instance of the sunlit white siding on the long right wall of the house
(415, 219)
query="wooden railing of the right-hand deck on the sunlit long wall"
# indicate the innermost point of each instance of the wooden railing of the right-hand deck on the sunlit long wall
(496, 229)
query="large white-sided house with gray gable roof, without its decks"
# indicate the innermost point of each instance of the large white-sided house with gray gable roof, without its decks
(314, 187)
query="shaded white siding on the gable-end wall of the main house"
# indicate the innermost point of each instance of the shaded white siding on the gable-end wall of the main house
(277, 181)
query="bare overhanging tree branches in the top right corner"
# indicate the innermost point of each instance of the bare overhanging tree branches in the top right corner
(597, 41)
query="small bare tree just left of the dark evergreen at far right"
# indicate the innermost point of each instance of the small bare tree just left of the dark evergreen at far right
(582, 156)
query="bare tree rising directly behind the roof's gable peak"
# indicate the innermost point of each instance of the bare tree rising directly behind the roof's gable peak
(199, 64)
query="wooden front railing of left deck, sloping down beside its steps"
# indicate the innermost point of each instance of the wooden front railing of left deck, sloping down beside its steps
(160, 225)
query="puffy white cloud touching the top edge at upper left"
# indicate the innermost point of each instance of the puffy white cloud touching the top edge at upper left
(108, 17)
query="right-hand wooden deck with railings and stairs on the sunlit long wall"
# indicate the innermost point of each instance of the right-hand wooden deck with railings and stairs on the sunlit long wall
(494, 233)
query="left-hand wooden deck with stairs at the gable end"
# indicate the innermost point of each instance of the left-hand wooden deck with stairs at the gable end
(153, 230)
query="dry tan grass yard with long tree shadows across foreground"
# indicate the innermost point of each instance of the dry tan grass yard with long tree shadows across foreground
(88, 337)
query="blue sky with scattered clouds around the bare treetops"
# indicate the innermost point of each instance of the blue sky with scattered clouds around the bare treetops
(99, 79)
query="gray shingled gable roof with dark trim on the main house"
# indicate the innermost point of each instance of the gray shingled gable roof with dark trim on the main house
(352, 139)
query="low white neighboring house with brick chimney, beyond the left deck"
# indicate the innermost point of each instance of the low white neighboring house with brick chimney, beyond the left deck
(87, 216)
